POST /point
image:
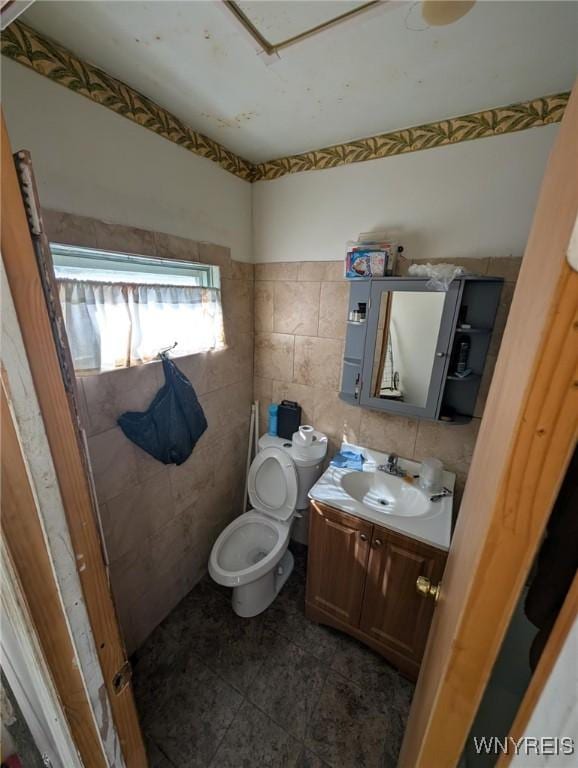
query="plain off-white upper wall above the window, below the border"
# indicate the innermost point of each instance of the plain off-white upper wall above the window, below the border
(91, 162)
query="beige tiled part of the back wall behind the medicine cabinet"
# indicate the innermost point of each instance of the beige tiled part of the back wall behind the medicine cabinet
(300, 313)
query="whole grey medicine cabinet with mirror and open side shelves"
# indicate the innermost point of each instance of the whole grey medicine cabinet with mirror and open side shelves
(417, 351)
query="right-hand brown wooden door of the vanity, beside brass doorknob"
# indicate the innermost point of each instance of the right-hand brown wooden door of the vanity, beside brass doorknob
(393, 611)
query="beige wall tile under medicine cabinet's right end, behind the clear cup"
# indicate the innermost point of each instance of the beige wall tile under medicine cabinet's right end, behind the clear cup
(452, 443)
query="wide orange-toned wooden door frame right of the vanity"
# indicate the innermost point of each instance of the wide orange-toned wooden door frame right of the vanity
(526, 438)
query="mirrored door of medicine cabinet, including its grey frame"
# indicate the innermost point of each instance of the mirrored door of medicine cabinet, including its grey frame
(408, 334)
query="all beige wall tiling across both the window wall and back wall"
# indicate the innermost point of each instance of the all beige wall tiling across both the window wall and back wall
(284, 323)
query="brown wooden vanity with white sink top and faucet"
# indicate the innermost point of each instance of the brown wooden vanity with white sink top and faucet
(372, 573)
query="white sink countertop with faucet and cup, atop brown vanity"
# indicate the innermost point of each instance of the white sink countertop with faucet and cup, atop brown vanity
(387, 500)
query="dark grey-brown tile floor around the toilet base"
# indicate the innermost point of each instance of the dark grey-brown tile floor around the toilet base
(277, 691)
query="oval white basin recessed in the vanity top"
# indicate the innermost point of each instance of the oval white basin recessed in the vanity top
(386, 494)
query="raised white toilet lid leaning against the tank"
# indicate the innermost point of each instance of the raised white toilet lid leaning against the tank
(272, 483)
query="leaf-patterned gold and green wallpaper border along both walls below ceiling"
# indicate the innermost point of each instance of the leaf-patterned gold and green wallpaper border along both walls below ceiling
(24, 45)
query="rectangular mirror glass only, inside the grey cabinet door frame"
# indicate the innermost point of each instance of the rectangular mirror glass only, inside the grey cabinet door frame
(407, 334)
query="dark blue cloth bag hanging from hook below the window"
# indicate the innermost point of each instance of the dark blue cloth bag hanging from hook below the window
(172, 424)
